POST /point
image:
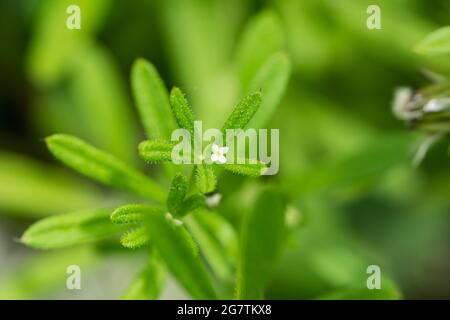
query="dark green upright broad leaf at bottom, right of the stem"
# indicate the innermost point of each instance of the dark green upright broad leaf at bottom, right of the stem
(263, 231)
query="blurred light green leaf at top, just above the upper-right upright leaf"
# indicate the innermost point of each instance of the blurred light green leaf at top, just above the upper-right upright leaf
(262, 37)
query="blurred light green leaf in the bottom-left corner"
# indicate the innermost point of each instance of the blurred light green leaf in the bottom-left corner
(51, 267)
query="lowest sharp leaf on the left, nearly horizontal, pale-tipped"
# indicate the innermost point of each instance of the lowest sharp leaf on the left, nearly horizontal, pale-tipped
(70, 229)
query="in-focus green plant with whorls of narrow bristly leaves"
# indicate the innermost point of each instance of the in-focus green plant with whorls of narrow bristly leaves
(176, 226)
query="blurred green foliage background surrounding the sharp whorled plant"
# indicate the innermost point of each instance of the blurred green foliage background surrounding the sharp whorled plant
(355, 199)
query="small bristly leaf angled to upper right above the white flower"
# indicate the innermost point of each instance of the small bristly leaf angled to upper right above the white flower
(243, 112)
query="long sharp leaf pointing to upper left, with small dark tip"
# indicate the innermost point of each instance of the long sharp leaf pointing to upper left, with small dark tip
(102, 166)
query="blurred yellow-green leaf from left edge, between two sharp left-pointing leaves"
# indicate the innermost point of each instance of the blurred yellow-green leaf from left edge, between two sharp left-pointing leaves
(47, 190)
